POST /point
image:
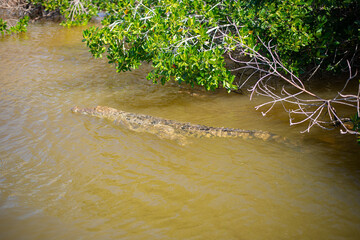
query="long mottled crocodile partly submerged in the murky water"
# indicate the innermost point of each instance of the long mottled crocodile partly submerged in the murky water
(172, 129)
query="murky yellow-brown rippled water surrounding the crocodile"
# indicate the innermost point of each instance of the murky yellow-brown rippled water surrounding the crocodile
(65, 176)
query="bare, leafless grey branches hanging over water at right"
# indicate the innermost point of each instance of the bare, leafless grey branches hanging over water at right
(317, 111)
